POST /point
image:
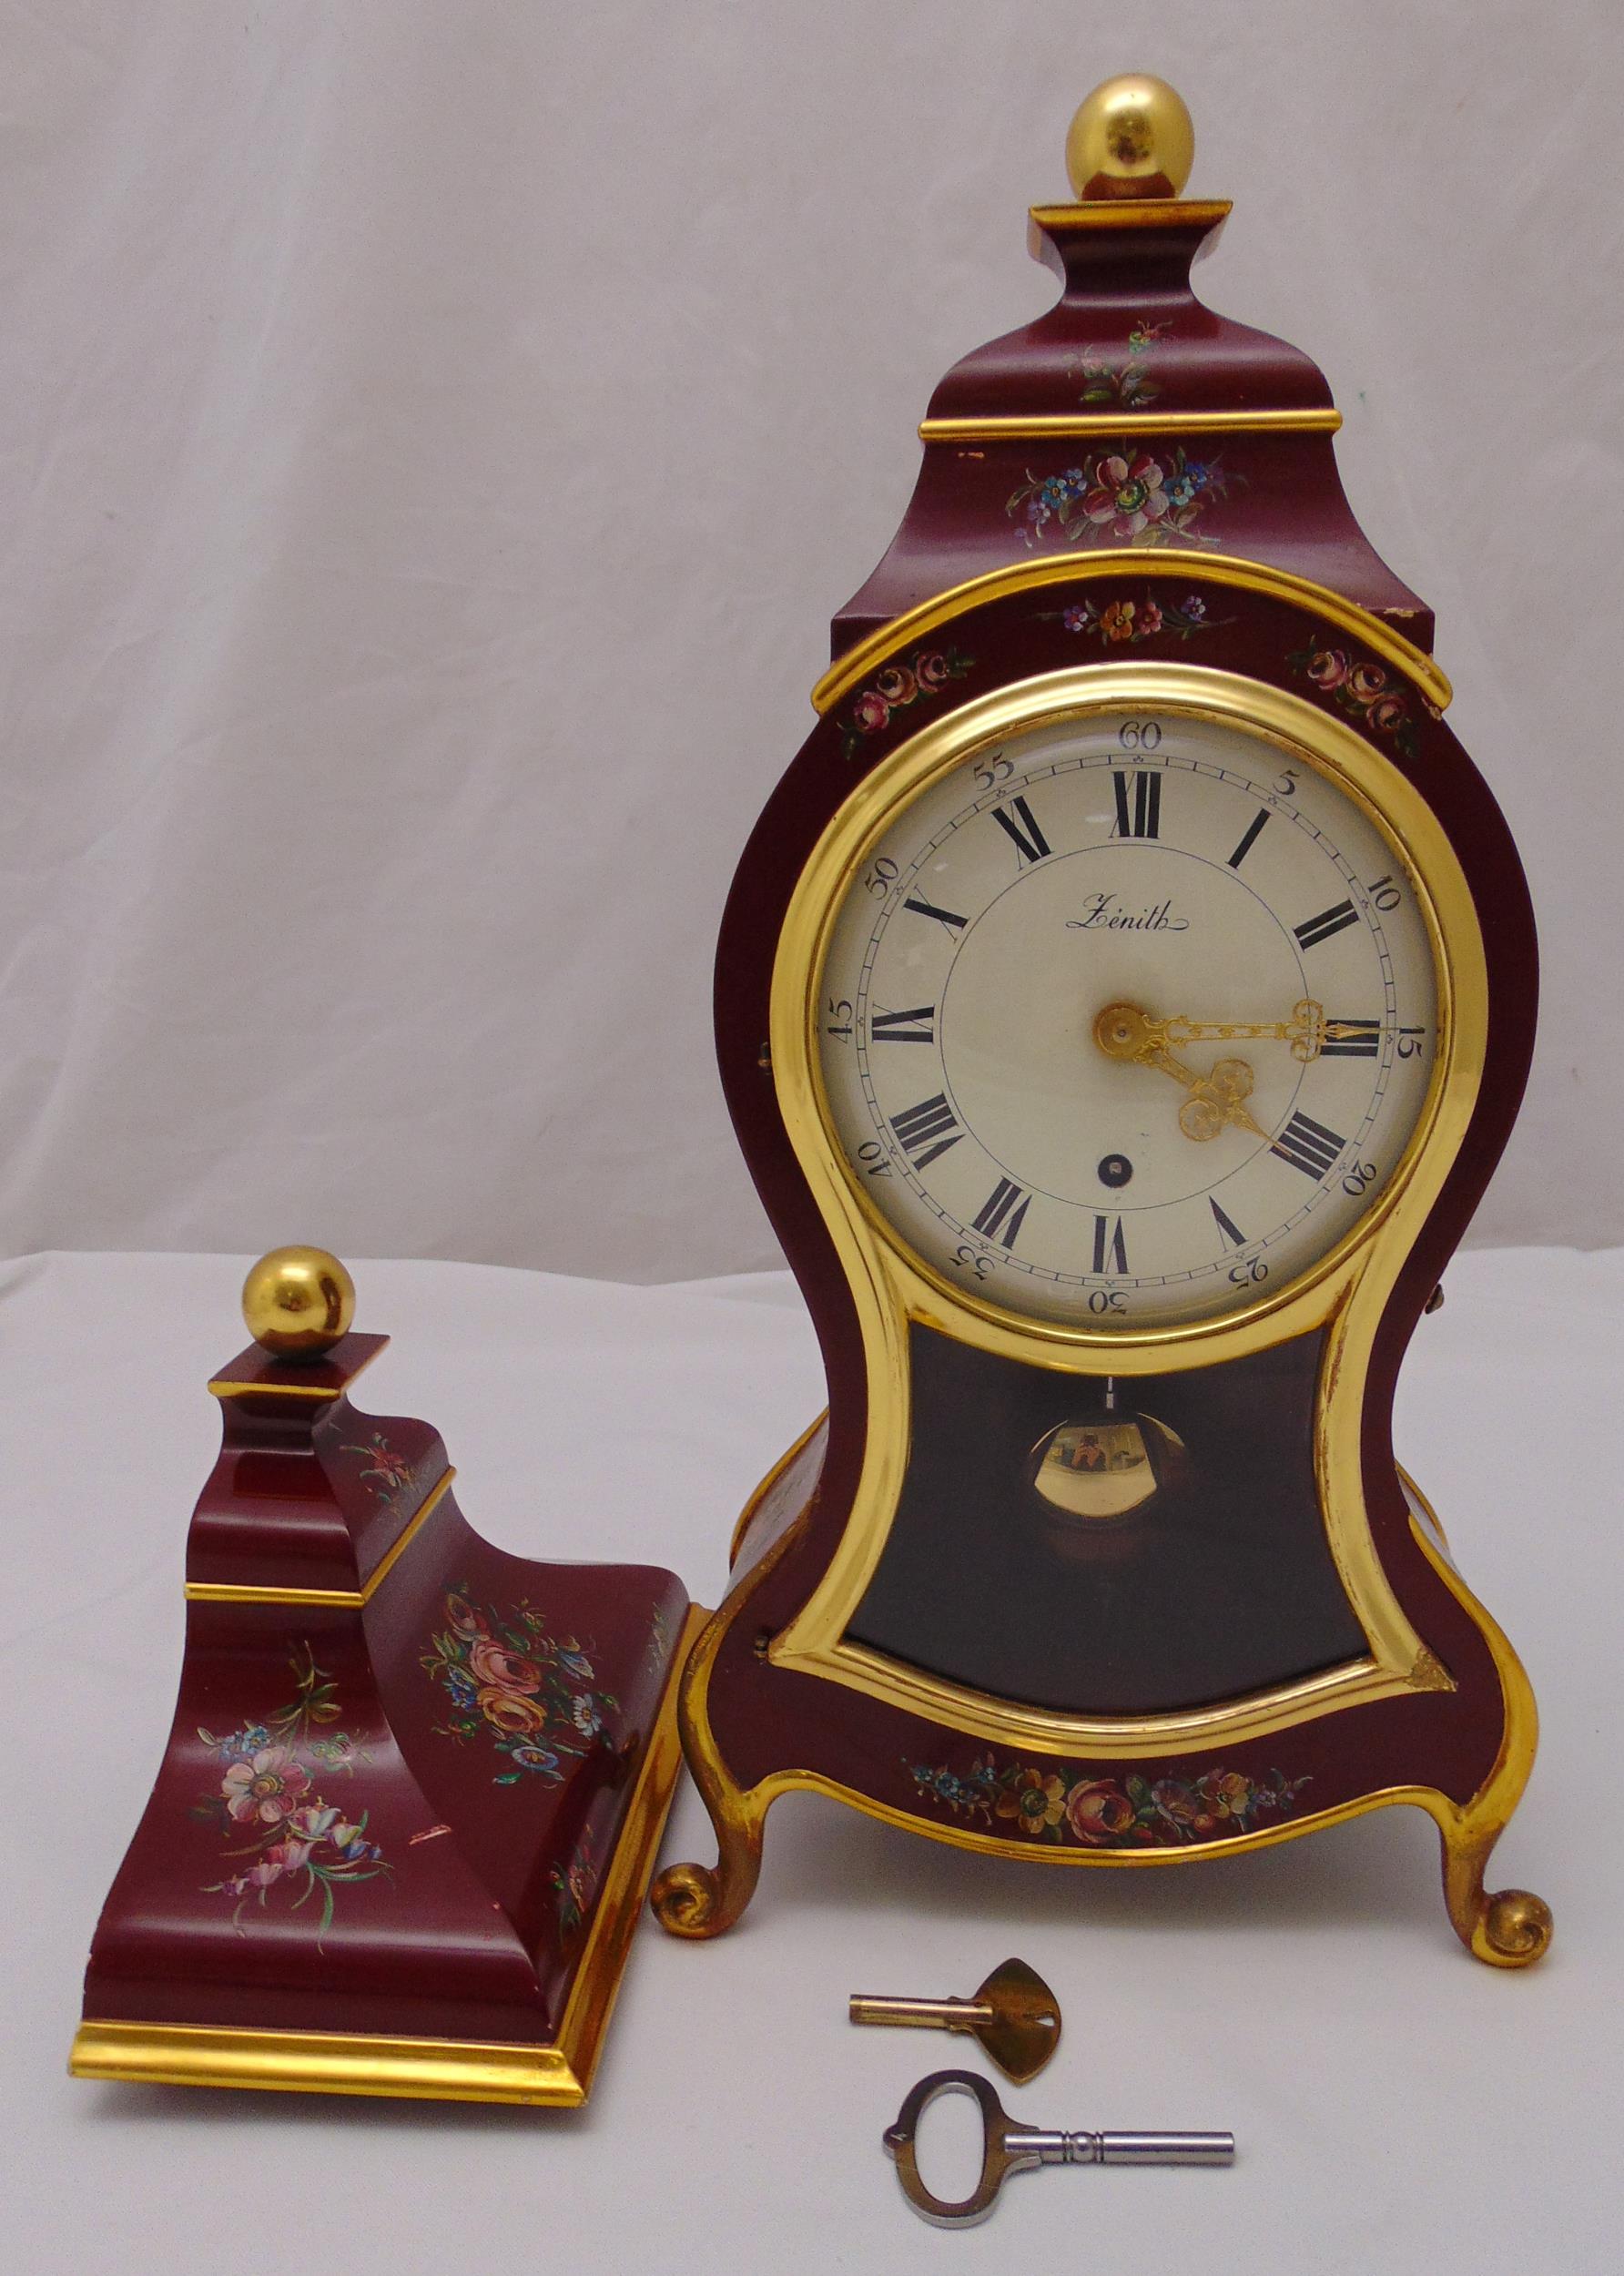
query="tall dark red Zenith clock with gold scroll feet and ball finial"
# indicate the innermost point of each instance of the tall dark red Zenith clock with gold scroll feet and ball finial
(1122, 1005)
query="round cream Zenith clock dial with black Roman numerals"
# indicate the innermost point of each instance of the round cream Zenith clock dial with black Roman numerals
(1127, 1021)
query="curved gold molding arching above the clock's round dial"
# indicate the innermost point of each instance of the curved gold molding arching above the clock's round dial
(854, 668)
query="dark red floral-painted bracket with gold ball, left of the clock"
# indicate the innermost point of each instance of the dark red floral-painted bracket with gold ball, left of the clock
(415, 1786)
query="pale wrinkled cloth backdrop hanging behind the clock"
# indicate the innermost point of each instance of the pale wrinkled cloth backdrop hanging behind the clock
(433, 440)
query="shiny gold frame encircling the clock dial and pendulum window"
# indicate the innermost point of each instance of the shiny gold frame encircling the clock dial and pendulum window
(1345, 1292)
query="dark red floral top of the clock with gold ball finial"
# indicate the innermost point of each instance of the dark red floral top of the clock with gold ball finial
(1129, 415)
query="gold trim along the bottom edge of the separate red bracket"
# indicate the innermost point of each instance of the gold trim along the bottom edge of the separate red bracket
(431, 2070)
